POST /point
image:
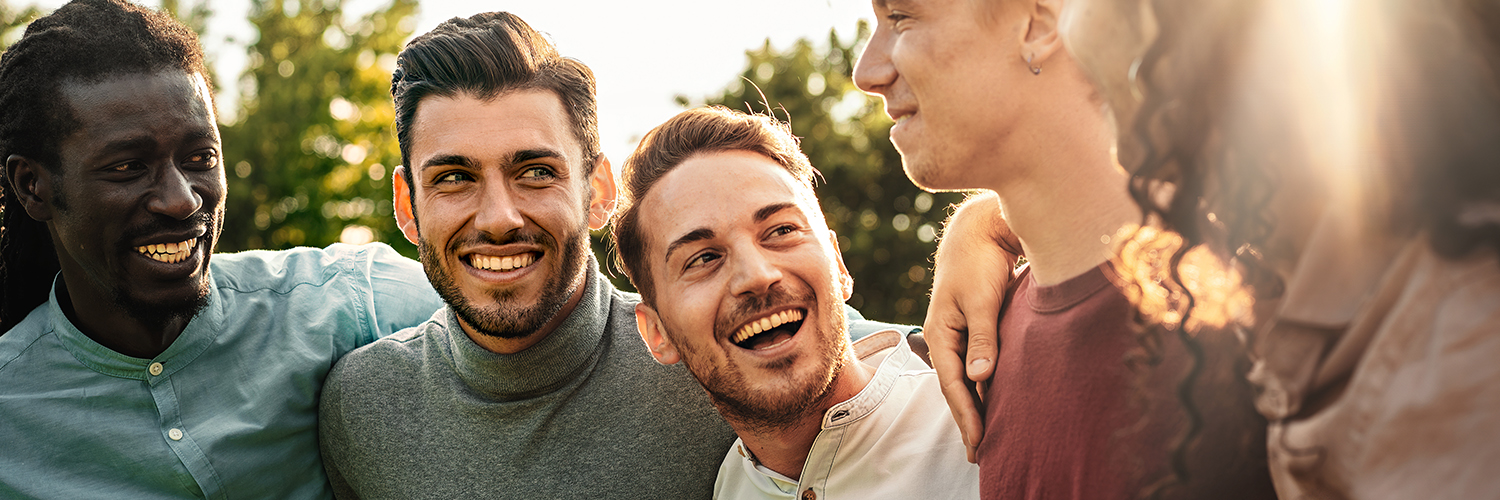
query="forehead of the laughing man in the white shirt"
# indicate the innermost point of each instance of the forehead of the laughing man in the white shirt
(718, 191)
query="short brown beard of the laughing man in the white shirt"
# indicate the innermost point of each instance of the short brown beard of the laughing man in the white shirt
(770, 414)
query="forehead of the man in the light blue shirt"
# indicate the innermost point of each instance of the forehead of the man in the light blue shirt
(158, 107)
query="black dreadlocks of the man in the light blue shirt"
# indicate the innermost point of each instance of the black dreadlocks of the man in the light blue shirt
(85, 41)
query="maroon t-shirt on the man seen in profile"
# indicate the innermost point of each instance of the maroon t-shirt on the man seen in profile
(1061, 421)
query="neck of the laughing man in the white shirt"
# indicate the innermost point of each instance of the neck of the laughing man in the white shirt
(785, 450)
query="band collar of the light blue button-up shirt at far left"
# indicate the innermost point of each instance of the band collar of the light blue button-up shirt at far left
(194, 340)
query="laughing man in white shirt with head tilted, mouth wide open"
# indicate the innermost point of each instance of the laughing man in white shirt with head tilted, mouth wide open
(749, 292)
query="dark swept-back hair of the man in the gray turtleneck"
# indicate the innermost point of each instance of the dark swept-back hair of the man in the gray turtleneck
(485, 56)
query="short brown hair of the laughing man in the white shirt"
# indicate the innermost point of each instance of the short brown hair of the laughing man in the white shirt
(694, 133)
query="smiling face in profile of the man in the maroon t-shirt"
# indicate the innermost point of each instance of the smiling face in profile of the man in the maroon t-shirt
(949, 73)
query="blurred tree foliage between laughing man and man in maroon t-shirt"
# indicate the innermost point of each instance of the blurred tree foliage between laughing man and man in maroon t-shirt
(886, 224)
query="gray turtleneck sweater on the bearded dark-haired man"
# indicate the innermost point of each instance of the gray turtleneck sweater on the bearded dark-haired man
(586, 414)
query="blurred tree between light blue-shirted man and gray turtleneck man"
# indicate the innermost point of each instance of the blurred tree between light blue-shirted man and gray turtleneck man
(311, 154)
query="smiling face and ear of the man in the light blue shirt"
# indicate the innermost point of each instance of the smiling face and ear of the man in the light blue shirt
(134, 209)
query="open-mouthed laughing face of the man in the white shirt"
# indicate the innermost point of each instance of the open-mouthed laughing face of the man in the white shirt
(749, 288)
